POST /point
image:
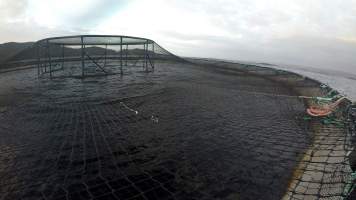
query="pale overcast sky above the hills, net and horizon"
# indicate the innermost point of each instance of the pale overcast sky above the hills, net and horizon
(316, 33)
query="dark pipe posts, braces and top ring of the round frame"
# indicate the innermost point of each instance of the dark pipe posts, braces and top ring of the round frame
(47, 43)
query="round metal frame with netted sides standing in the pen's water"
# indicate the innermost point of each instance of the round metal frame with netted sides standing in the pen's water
(51, 52)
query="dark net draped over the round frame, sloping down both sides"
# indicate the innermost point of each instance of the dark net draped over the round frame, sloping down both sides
(91, 55)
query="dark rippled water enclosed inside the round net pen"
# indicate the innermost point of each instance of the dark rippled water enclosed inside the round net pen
(181, 132)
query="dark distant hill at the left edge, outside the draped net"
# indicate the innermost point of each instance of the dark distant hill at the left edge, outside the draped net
(9, 49)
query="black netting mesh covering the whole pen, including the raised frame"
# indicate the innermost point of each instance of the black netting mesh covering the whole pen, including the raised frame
(191, 129)
